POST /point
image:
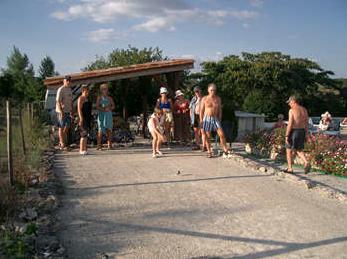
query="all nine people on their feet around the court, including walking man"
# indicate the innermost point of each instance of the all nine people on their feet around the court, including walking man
(202, 113)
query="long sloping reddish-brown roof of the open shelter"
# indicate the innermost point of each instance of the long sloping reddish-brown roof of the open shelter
(115, 73)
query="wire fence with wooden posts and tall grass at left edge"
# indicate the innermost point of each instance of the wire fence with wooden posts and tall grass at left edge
(22, 134)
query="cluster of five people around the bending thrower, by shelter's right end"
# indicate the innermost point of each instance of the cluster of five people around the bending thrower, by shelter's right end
(203, 113)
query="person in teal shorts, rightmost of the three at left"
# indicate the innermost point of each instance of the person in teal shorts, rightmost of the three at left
(105, 105)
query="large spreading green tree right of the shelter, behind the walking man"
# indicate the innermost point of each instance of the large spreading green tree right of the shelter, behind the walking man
(262, 82)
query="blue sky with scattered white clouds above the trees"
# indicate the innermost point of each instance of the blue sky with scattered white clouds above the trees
(74, 32)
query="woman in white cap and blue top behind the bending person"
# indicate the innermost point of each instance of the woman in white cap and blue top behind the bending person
(164, 103)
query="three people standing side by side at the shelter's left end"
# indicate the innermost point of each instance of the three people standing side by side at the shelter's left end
(64, 109)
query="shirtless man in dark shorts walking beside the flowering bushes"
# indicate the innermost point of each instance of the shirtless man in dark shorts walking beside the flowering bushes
(296, 133)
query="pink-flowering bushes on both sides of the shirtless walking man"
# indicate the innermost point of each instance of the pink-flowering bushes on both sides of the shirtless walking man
(327, 153)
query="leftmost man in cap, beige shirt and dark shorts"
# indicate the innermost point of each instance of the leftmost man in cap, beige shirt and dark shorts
(64, 109)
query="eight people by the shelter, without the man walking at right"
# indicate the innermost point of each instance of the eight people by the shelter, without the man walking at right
(170, 119)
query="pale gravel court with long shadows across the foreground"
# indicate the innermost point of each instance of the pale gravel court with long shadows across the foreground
(128, 205)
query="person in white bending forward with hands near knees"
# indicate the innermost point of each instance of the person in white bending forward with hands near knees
(155, 130)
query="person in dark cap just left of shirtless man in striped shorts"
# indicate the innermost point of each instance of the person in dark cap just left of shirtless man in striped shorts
(194, 107)
